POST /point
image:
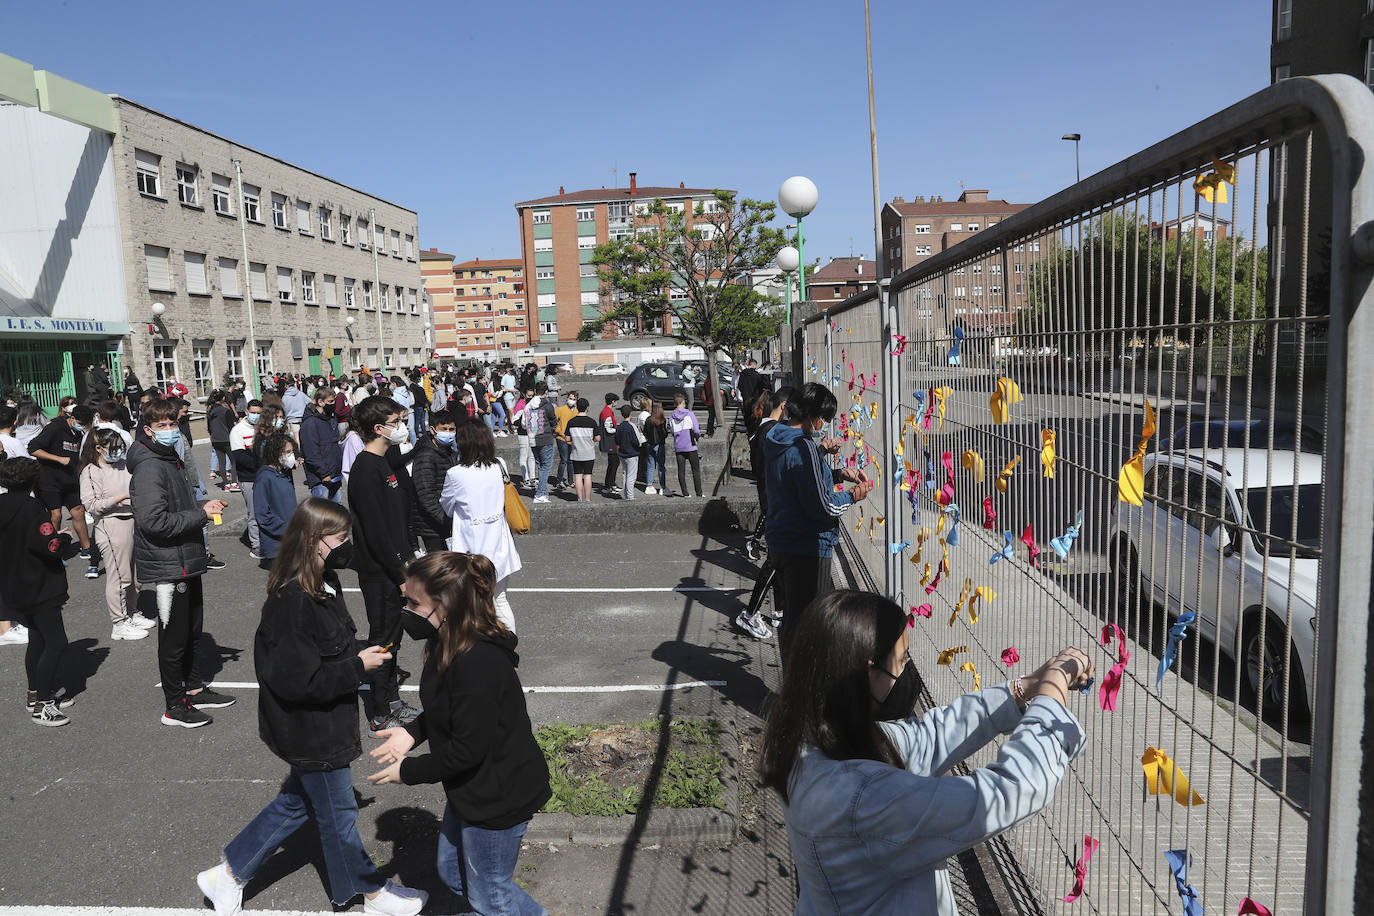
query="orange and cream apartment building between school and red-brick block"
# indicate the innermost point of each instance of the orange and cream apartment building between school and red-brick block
(480, 306)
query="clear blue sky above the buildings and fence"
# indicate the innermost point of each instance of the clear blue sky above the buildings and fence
(461, 109)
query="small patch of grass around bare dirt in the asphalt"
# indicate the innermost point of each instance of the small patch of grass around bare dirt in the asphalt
(690, 777)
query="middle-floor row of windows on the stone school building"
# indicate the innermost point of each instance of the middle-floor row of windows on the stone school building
(314, 289)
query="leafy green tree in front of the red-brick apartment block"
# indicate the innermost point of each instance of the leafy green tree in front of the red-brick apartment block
(692, 270)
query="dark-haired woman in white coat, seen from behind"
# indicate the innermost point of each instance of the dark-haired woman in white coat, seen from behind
(475, 496)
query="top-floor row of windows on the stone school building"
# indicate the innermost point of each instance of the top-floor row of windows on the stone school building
(189, 193)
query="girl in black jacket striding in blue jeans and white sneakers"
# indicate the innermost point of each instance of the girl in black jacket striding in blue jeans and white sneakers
(310, 669)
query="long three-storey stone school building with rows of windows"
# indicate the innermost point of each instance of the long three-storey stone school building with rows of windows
(318, 255)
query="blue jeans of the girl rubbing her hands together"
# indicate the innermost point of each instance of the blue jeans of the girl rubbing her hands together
(480, 865)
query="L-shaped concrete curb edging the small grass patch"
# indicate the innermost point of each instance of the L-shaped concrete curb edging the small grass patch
(666, 826)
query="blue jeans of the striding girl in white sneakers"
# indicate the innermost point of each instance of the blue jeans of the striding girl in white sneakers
(329, 799)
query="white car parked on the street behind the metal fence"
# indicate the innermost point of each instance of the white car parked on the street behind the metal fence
(1203, 513)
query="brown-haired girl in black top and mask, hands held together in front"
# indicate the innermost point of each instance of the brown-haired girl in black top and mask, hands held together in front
(482, 745)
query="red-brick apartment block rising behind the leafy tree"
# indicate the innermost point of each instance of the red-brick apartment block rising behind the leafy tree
(559, 236)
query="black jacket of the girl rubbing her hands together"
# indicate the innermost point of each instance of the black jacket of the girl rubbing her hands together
(482, 745)
